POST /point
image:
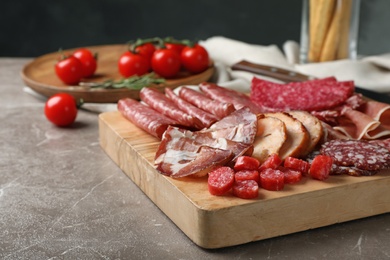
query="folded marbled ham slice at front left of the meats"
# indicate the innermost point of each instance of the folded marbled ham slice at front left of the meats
(183, 153)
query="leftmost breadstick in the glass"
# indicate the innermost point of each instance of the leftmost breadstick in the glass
(321, 20)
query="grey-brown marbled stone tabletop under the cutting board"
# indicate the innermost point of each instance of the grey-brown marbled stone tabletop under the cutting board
(61, 197)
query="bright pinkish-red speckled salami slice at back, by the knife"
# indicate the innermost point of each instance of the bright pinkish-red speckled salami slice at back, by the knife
(310, 95)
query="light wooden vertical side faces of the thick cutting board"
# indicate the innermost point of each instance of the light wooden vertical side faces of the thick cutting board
(249, 222)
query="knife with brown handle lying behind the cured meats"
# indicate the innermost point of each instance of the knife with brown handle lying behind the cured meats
(289, 76)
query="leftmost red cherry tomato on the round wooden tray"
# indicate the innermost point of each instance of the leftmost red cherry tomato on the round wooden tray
(69, 70)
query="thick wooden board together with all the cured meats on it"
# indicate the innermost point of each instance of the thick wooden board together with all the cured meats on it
(209, 156)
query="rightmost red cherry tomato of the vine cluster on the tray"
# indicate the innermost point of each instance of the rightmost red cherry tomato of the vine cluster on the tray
(195, 59)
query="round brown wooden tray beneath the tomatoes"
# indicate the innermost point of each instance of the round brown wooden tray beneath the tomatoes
(39, 75)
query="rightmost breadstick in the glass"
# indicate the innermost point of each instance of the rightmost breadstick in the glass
(343, 50)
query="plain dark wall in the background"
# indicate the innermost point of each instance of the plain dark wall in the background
(30, 28)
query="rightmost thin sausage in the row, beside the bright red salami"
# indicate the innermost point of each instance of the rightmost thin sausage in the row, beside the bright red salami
(225, 95)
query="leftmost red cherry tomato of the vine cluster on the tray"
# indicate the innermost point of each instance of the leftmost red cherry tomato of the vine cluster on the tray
(131, 64)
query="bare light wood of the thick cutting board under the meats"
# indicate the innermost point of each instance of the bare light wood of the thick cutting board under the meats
(215, 222)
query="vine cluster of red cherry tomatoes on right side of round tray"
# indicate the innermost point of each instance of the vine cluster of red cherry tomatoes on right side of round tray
(166, 57)
